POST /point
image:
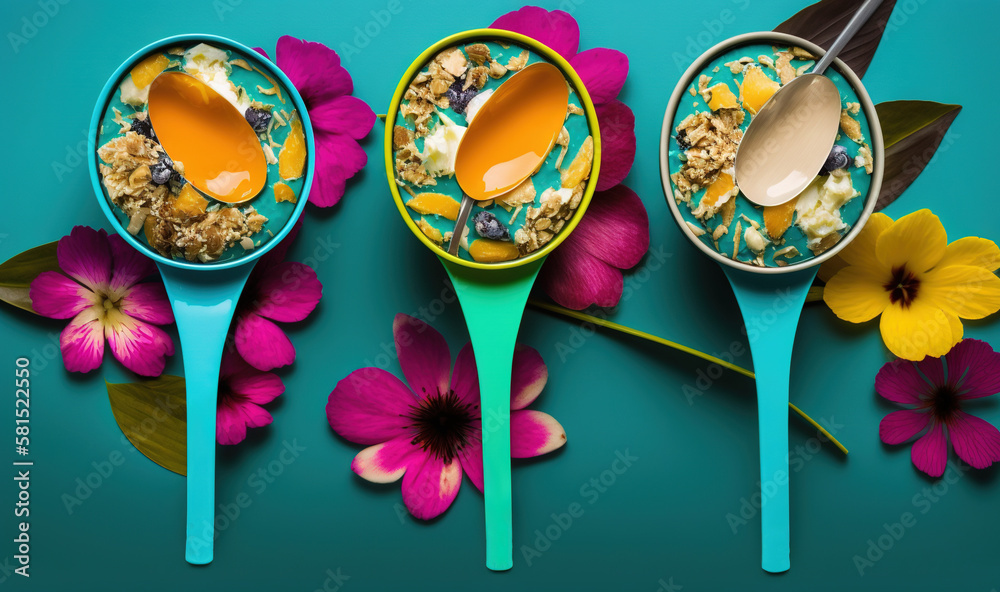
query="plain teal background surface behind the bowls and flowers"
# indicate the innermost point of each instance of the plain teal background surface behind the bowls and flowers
(662, 524)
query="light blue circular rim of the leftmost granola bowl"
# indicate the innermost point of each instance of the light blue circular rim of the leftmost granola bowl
(111, 86)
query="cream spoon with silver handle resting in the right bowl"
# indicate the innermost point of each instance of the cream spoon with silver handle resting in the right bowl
(789, 139)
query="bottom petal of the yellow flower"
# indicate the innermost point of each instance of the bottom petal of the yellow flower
(917, 331)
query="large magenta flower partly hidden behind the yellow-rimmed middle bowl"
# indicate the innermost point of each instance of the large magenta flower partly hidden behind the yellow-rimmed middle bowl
(614, 233)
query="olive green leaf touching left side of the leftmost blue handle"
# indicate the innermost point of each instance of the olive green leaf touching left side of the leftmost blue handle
(152, 415)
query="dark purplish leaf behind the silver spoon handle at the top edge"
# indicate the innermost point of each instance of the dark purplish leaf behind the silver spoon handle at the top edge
(823, 21)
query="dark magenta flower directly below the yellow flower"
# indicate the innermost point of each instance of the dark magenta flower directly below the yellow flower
(935, 389)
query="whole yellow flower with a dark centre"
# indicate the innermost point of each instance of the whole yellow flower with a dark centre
(922, 286)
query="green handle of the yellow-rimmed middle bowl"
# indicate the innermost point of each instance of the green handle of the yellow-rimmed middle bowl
(493, 302)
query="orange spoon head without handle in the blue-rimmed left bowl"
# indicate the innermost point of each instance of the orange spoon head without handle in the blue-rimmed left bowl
(197, 126)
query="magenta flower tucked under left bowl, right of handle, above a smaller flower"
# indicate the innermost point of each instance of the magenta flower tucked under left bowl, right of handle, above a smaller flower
(277, 290)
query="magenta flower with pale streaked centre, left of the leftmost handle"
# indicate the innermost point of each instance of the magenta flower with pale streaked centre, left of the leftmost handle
(107, 300)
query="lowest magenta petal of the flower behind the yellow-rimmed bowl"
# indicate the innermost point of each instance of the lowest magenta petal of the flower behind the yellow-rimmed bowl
(576, 279)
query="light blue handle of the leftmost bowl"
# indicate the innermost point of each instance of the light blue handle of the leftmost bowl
(203, 306)
